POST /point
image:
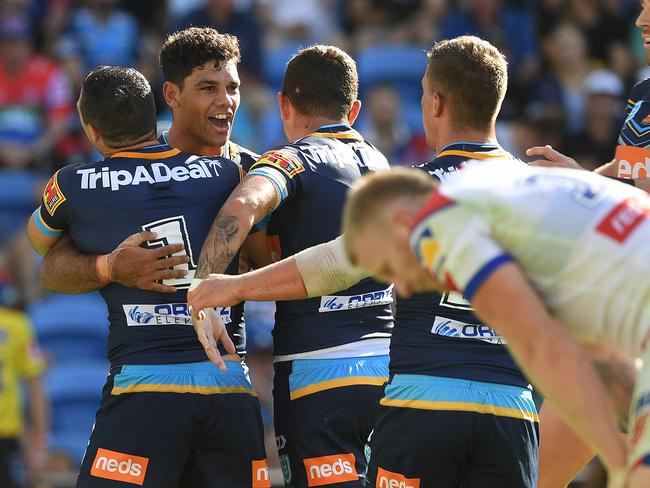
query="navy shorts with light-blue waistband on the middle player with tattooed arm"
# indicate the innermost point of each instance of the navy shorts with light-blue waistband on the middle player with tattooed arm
(324, 413)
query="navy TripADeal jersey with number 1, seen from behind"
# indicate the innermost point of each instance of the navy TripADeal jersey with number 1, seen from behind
(159, 189)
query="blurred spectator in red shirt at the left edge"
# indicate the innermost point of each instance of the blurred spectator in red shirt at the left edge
(35, 99)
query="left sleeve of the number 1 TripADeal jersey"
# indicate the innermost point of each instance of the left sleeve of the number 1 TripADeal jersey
(52, 217)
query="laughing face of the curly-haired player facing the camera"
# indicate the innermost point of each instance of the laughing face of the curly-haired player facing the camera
(208, 101)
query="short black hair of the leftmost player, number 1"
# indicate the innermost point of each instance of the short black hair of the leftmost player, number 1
(119, 104)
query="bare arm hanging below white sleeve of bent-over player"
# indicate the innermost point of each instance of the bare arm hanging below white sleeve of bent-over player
(552, 359)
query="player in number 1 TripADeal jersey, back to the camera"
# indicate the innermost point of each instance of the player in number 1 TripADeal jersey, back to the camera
(168, 417)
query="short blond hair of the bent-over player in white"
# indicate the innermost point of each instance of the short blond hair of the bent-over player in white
(367, 197)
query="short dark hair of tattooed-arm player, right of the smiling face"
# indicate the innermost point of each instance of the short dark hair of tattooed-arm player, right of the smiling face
(321, 81)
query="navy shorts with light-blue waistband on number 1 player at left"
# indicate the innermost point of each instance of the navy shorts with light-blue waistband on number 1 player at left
(177, 426)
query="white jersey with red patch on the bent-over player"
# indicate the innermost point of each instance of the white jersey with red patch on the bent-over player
(582, 240)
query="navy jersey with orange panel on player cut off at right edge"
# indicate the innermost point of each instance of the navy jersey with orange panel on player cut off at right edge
(633, 150)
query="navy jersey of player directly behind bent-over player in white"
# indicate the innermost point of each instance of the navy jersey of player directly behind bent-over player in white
(438, 334)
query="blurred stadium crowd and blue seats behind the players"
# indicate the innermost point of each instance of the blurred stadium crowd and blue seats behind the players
(571, 64)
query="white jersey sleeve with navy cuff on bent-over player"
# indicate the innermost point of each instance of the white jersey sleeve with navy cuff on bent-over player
(454, 242)
